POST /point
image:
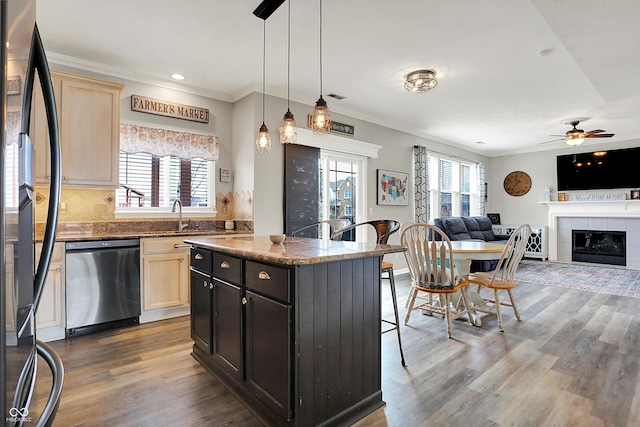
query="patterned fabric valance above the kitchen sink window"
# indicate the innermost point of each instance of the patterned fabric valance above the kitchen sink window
(164, 142)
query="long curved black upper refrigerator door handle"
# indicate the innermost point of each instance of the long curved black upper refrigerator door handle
(38, 61)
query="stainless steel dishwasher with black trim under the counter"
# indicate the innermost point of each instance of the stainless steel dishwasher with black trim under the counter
(103, 284)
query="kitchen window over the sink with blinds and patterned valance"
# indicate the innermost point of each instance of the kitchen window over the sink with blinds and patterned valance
(159, 166)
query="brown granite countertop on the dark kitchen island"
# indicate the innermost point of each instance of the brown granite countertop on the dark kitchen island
(294, 250)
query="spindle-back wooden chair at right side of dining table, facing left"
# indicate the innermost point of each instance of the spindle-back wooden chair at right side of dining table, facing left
(502, 278)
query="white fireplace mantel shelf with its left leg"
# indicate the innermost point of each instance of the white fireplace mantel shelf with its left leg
(589, 209)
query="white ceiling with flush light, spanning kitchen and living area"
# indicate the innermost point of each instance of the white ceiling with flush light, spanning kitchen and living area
(494, 85)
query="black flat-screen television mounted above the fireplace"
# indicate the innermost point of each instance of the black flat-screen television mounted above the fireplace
(599, 170)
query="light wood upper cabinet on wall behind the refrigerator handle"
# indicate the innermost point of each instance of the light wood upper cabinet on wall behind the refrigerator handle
(89, 127)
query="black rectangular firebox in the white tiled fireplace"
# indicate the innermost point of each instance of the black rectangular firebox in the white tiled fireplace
(599, 246)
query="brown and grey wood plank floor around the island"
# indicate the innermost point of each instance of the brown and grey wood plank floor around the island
(574, 359)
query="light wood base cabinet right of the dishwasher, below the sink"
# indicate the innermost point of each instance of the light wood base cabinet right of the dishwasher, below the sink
(165, 278)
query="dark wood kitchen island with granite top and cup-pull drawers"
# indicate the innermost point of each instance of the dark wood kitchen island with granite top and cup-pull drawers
(292, 329)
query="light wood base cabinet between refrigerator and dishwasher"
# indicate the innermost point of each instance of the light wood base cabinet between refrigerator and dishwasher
(50, 316)
